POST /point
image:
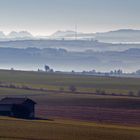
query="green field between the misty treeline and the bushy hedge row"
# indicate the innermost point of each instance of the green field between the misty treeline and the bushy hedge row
(83, 83)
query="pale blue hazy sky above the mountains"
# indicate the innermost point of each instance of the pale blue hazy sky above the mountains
(43, 17)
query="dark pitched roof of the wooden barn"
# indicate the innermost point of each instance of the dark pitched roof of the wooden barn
(8, 100)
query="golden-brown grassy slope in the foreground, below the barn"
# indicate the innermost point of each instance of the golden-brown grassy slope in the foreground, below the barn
(13, 129)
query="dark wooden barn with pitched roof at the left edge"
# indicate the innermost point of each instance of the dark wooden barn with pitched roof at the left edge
(17, 107)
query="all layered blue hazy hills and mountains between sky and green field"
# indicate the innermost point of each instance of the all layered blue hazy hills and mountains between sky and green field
(64, 50)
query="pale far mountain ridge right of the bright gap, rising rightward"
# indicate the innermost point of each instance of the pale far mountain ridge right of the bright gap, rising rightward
(117, 36)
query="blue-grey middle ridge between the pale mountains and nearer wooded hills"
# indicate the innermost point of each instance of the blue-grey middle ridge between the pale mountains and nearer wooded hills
(69, 45)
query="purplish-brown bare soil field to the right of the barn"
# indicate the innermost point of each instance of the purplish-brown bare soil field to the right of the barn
(89, 108)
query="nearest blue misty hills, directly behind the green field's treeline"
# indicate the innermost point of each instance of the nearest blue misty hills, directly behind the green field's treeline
(61, 59)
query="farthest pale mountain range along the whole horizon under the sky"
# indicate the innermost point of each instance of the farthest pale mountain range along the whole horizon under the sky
(117, 36)
